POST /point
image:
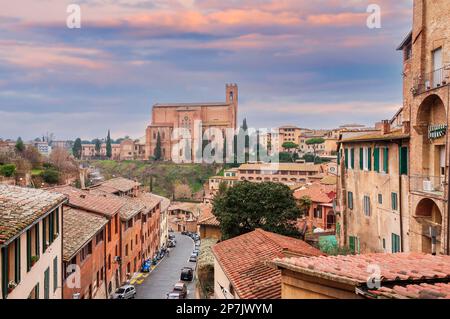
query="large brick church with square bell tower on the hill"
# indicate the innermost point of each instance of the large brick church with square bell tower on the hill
(169, 116)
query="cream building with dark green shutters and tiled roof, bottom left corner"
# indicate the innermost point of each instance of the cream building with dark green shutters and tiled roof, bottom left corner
(30, 243)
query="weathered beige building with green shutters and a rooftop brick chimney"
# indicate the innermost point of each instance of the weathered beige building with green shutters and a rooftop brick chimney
(373, 185)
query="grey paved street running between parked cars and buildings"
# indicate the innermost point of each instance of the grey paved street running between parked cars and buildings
(162, 279)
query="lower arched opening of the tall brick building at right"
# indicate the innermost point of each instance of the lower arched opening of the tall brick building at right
(429, 217)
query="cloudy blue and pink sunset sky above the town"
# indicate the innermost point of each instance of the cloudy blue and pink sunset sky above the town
(313, 64)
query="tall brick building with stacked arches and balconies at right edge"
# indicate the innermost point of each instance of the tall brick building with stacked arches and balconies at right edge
(426, 55)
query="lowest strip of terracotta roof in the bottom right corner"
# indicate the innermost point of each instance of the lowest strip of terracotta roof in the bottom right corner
(422, 291)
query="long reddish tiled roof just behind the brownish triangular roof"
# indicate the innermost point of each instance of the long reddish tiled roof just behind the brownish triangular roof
(89, 201)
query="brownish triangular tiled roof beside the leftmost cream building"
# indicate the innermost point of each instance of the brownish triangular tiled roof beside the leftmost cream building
(79, 227)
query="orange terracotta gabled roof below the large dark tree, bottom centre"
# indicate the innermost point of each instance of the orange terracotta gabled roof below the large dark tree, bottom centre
(243, 259)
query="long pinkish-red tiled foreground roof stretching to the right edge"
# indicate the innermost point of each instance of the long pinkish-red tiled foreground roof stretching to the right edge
(354, 269)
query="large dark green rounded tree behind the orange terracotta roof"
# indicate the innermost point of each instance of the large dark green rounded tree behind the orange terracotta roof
(247, 206)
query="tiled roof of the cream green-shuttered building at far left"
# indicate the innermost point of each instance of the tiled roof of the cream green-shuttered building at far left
(20, 207)
